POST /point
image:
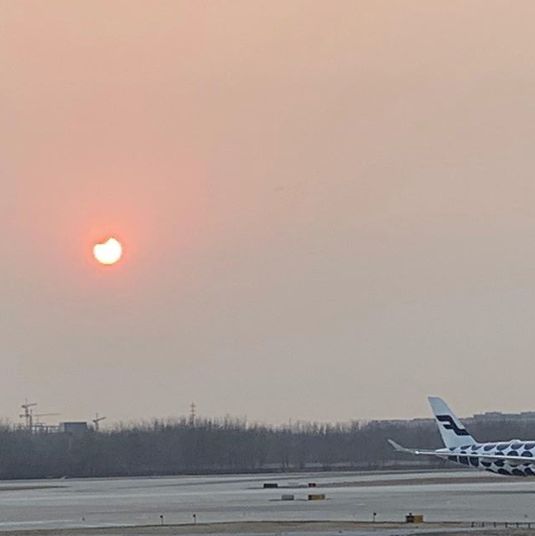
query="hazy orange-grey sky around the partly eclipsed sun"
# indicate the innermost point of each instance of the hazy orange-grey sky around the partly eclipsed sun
(327, 207)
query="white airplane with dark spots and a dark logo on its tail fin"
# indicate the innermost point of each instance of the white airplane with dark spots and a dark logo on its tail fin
(512, 458)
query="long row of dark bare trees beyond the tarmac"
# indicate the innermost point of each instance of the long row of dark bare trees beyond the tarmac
(224, 446)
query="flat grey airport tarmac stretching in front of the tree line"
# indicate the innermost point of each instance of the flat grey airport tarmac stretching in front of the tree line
(81, 506)
